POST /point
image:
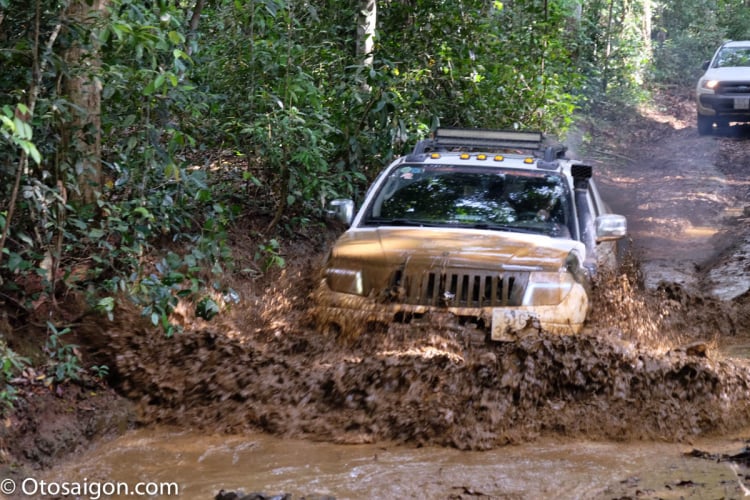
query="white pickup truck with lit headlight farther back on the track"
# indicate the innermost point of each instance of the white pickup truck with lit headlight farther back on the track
(723, 92)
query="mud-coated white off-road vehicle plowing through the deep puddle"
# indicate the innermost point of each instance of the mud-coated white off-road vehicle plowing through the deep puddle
(490, 227)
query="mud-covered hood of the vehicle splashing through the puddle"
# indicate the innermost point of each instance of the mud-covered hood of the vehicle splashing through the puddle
(478, 249)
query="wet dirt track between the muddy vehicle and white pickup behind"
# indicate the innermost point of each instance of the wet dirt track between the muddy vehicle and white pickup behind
(684, 195)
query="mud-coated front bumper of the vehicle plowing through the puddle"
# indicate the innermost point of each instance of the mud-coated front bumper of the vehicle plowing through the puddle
(351, 314)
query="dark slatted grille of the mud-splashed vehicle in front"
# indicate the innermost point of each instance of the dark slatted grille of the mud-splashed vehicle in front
(459, 288)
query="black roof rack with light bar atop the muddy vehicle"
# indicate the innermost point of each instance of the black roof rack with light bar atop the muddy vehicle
(488, 140)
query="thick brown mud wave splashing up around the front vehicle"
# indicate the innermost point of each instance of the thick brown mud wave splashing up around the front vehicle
(428, 384)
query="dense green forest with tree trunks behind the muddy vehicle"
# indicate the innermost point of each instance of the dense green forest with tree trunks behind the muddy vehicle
(135, 133)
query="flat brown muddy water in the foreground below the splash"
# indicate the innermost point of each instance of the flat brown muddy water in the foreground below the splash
(204, 464)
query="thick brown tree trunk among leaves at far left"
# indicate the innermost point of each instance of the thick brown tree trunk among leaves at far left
(82, 137)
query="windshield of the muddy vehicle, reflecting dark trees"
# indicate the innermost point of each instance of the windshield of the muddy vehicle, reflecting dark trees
(473, 197)
